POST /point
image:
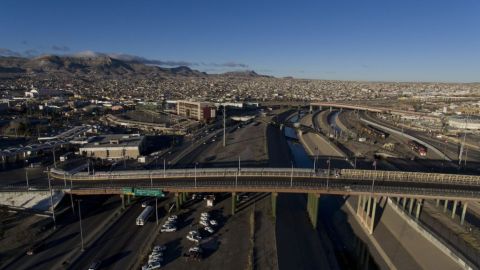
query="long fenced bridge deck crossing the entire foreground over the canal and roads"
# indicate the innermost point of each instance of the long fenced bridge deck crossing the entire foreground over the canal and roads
(276, 180)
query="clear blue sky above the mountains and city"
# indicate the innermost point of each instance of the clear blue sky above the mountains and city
(404, 40)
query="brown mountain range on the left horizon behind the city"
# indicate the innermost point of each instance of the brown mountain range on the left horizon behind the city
(100, 65)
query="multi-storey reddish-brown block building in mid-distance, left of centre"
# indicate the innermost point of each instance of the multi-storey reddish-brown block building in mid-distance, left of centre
(201, 111)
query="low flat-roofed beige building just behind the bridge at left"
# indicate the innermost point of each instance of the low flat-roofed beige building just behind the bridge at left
(114, 146)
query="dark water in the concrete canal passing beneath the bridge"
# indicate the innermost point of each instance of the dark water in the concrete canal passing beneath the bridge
(350, 251)
